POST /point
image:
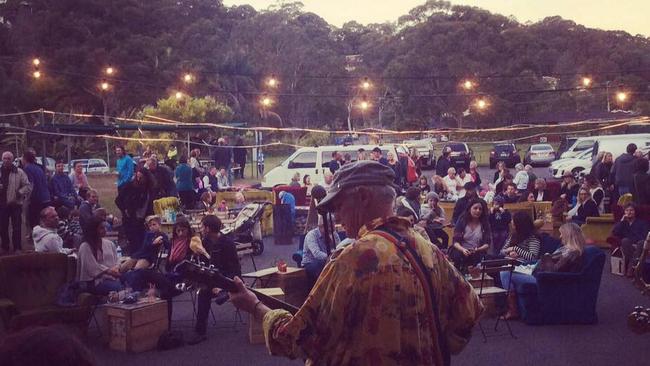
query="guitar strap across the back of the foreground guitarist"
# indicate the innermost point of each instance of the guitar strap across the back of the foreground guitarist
(442, 357)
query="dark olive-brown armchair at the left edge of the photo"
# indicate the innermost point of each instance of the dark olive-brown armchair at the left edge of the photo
(29, 287)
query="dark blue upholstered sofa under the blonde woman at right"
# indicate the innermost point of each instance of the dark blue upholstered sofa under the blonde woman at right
(563, 298)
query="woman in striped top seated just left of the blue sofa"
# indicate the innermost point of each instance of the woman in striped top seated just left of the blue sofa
(523, 242)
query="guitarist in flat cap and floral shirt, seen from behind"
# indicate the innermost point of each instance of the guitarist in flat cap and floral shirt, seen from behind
(370, 305)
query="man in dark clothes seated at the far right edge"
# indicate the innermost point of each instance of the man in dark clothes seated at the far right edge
(632, 232)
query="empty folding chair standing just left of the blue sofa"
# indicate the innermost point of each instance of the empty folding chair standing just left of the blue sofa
(494, 268)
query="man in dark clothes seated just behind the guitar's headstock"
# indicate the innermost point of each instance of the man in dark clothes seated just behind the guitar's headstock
(223, 255)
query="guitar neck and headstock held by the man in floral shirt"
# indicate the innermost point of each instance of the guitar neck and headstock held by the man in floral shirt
(211, 277)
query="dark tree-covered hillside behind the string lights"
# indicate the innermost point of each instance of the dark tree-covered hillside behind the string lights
(416, 64)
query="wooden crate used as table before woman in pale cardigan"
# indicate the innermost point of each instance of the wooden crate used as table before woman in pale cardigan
(136, 327)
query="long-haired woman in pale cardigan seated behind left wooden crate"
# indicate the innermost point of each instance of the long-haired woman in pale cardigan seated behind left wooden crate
(98, 259)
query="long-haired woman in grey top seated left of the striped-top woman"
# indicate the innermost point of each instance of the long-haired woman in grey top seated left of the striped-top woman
(472, 236)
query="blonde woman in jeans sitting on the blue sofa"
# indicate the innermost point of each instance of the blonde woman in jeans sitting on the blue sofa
(567, 258)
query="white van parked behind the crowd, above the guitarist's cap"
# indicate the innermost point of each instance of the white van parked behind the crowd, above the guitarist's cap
(315, 162)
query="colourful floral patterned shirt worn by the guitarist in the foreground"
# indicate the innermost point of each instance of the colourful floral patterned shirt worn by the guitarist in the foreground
(369, 308)
